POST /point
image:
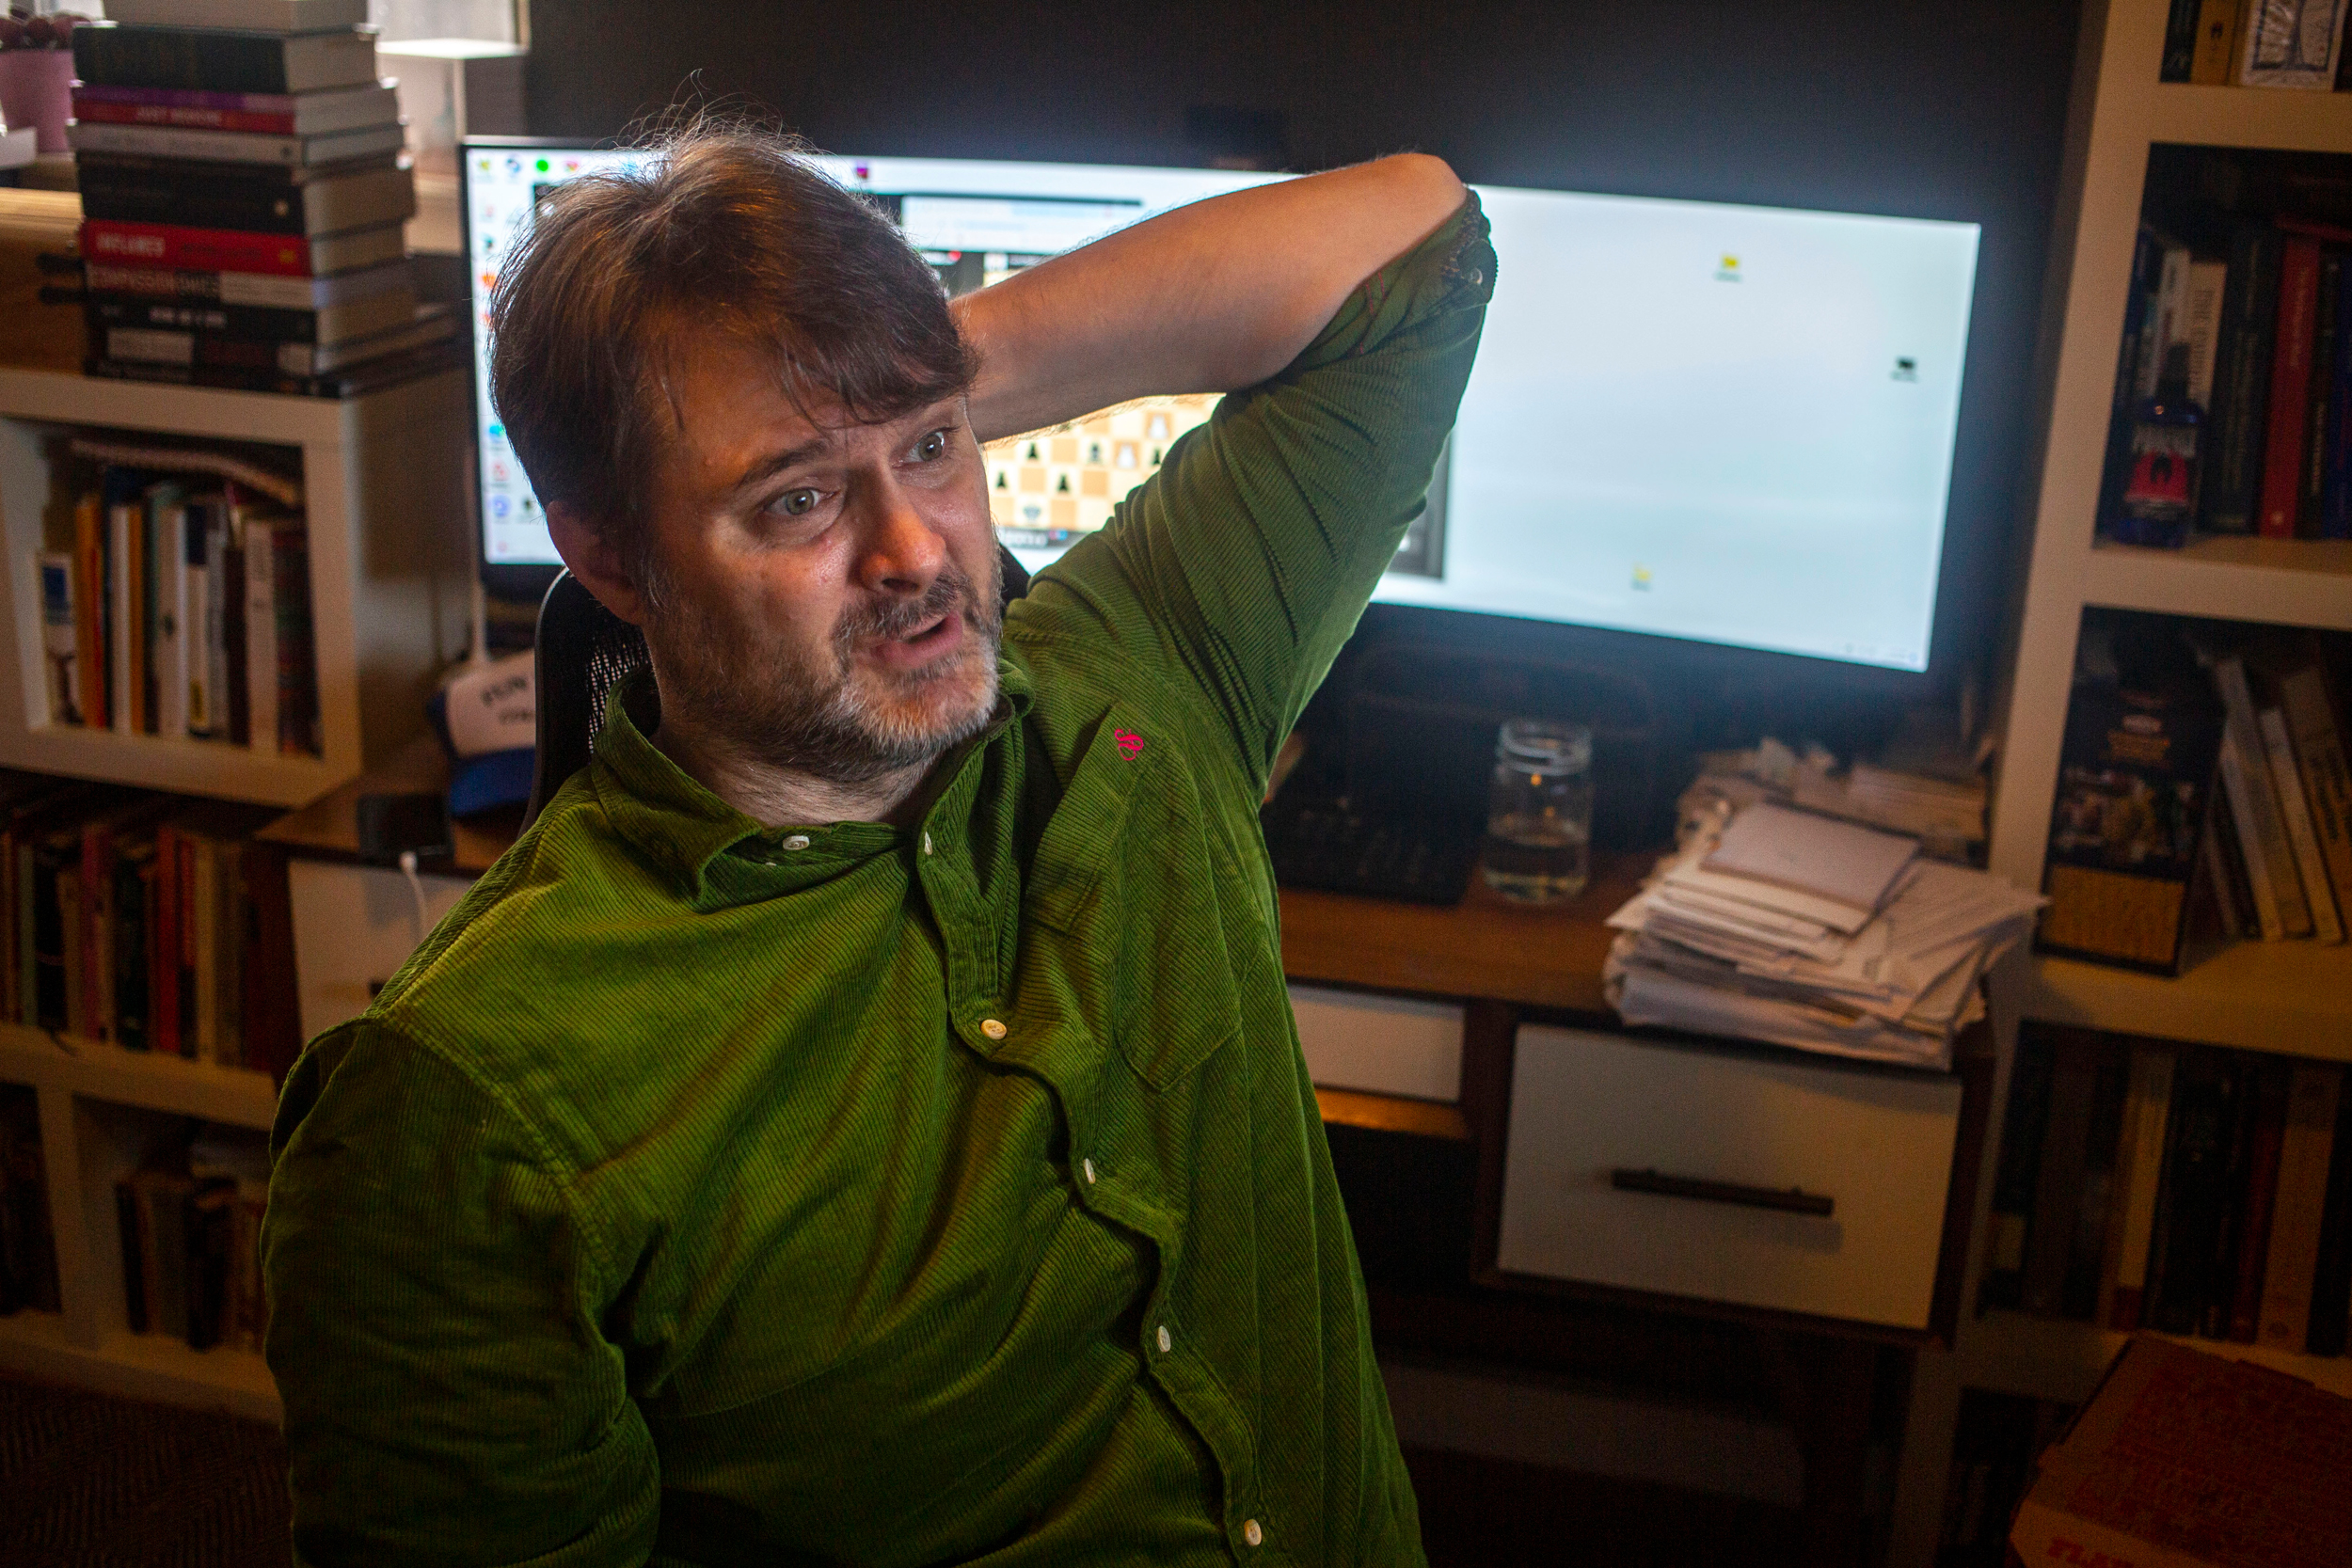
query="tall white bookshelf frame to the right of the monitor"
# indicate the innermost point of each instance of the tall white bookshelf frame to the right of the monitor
(2292, 998)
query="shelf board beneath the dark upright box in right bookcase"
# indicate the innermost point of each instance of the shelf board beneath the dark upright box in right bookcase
(2292, 998)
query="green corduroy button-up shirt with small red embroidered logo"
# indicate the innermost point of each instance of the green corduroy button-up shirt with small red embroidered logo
(895, 1195)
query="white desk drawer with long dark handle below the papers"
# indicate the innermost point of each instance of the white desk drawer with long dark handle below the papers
(1593, 1118)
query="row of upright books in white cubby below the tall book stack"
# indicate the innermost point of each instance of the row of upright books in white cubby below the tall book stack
(180, 608)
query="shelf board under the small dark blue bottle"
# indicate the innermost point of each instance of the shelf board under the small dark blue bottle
(2285, 582)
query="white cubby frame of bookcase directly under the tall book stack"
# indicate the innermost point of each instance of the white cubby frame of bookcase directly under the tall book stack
(385, 492)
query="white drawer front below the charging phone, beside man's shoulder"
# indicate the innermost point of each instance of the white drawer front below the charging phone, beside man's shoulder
(356, 925)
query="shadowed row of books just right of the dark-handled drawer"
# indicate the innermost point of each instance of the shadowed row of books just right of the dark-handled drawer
(2181, 1188)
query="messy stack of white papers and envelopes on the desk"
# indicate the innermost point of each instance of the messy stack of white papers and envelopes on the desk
(1817, 934)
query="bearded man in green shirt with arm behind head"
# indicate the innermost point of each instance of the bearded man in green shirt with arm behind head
(862, 1120)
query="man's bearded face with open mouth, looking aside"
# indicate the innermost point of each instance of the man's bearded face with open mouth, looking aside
(822, 596)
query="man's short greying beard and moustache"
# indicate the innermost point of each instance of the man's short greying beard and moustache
(810, 716)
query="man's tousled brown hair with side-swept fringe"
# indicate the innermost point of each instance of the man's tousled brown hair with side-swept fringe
(721, 229)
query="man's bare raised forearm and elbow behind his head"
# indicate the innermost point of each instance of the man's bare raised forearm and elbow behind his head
(1203, 300)
